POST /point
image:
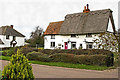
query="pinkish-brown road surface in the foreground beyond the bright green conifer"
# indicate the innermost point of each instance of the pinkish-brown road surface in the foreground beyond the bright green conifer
(43, 71)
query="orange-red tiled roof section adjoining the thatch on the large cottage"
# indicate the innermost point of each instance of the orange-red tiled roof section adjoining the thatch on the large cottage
(53, 28)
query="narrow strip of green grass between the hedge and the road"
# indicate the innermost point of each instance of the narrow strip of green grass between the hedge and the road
(61, 64)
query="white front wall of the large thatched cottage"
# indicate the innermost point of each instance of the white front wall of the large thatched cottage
(61, 39)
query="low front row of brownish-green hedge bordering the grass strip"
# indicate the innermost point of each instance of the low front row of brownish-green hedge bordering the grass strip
(97, 59)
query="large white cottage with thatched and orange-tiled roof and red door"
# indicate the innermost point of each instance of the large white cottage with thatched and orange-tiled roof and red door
(78, 30)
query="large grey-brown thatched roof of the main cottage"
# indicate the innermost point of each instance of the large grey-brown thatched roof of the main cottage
(91, 22)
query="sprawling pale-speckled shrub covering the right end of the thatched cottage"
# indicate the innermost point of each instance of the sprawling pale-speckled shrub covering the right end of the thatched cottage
(107, 41)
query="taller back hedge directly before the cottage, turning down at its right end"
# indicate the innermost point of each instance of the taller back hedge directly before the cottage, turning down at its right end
(109, 54)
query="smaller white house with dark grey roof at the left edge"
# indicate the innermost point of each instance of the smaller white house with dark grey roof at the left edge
(9, 37)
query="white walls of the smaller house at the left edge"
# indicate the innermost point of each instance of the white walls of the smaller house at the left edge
(20, 41)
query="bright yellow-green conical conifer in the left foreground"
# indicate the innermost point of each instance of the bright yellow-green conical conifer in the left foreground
(18, 68)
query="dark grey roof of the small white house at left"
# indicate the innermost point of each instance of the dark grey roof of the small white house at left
(7, 30)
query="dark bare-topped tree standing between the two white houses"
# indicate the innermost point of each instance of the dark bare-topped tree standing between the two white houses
(36, 38)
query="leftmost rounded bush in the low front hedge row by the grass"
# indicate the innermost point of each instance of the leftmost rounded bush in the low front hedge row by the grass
(38, 56)
